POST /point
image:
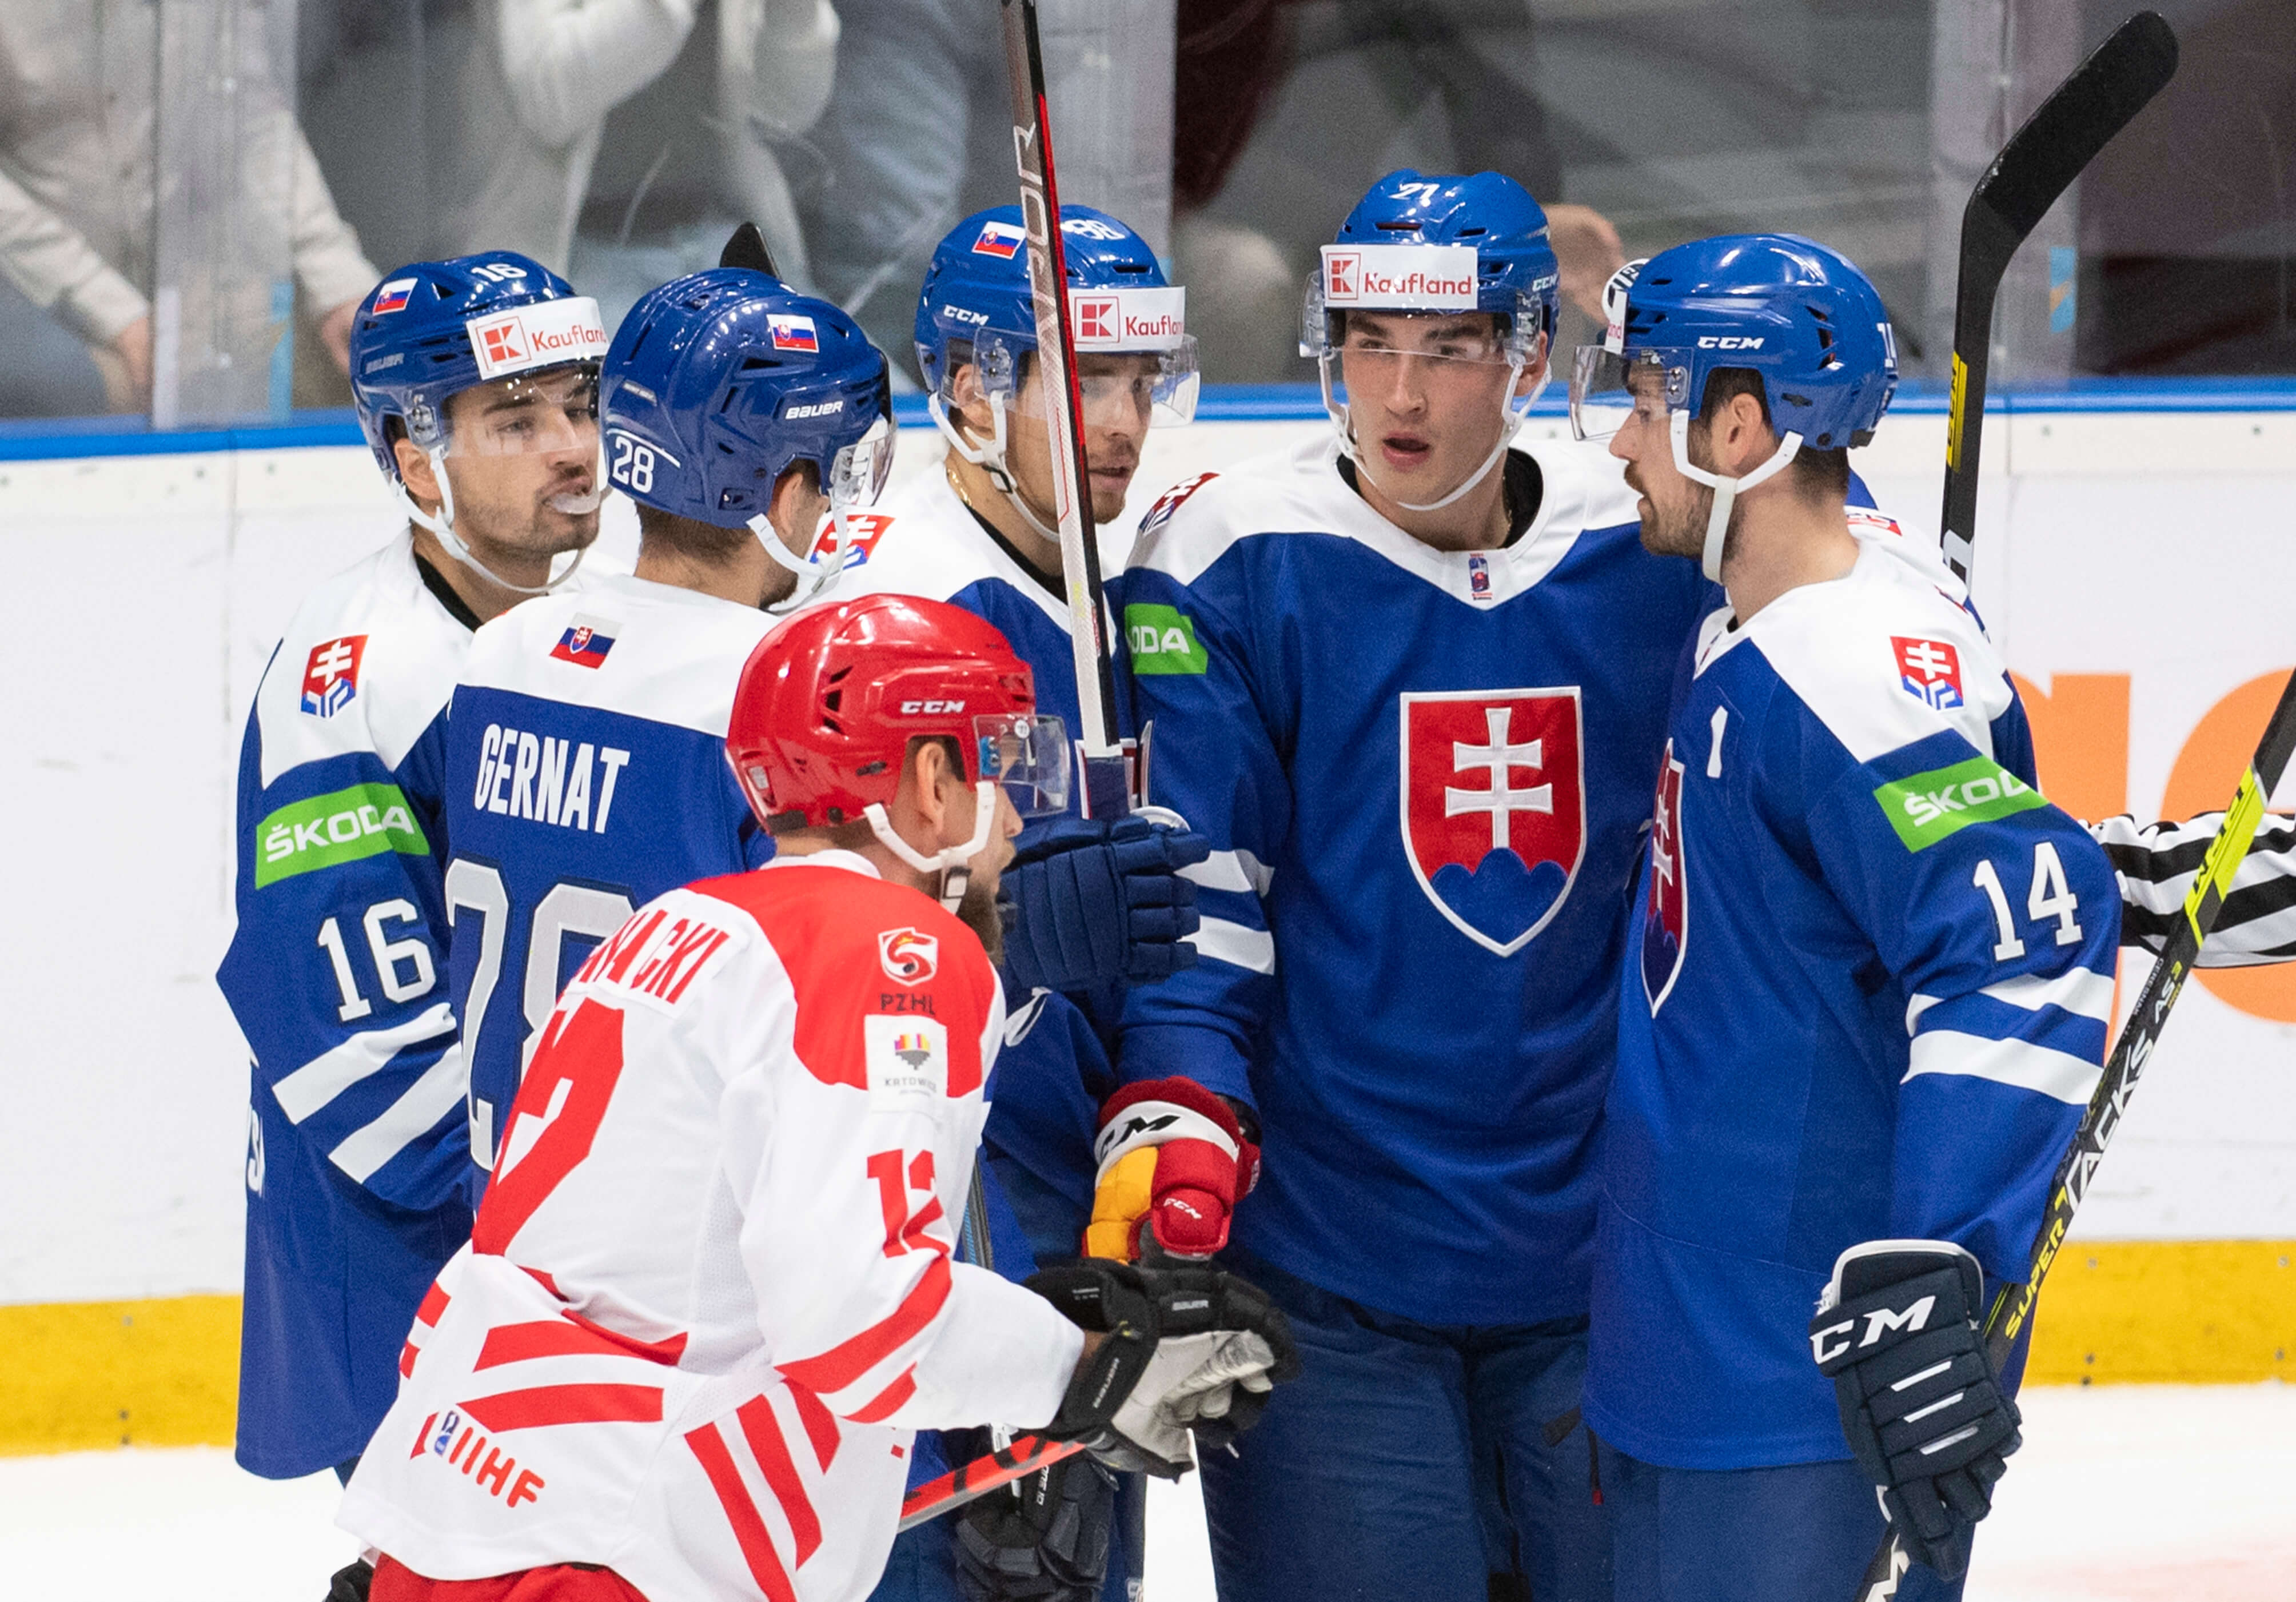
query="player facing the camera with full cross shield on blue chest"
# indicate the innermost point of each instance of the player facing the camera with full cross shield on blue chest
(1413, 685)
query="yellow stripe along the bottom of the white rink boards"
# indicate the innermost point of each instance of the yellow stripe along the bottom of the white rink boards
(164, 1374)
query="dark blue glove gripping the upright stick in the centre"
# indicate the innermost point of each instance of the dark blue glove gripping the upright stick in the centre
(1092, 903)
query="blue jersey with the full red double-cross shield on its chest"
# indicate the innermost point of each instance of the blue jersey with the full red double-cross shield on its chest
(1427, 779)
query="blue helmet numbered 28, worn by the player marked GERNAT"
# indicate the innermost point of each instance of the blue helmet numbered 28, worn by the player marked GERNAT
(722, 382)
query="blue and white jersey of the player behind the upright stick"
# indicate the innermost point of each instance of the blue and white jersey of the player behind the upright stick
(1055, 1068)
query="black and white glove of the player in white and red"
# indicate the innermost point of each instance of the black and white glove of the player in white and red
(1188, 1348)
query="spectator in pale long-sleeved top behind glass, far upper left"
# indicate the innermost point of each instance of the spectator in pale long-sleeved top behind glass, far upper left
(79, 134)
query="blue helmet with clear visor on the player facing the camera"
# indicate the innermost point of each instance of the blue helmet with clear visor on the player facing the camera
(1436, 244)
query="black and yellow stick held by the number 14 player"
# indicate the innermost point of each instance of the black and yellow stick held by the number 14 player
(2006, 1321)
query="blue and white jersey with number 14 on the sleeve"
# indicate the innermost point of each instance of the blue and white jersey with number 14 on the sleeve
(1865, 997)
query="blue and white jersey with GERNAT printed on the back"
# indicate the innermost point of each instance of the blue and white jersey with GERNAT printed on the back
(587, 777)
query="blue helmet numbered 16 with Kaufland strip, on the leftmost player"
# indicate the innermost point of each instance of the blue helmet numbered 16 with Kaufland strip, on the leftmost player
(435, 329)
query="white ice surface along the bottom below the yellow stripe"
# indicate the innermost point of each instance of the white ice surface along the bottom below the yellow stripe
(2120, 1495)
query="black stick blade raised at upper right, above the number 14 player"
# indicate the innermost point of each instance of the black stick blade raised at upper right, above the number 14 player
(2035, 166)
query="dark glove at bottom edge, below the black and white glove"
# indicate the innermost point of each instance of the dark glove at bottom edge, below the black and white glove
(1050, 1543)
